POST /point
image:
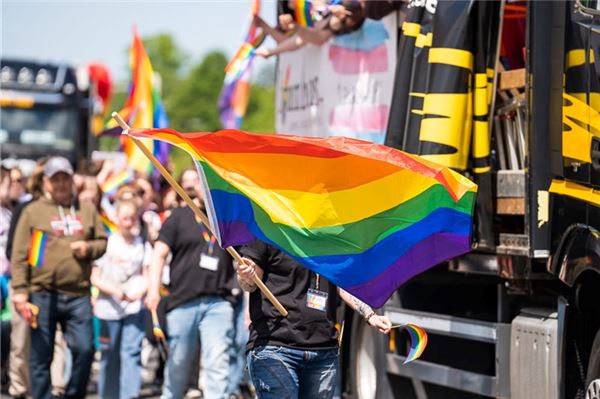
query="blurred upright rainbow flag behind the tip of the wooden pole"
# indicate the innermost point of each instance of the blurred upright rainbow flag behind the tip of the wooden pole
(143, 109)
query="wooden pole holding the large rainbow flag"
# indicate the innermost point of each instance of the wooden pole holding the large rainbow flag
(197, 211)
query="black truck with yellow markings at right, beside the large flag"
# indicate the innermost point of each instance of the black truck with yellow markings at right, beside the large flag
(509, 94)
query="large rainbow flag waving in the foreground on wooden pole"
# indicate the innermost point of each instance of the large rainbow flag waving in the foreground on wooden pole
(365, 216)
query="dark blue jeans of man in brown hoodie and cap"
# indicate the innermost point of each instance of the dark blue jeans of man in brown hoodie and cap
(74, 313)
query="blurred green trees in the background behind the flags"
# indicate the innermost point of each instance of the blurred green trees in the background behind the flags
(191, 93)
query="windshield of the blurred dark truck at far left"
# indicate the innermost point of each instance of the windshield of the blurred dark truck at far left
(39, 128)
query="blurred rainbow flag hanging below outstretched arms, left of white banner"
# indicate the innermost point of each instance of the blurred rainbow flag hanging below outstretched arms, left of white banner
(233, 100)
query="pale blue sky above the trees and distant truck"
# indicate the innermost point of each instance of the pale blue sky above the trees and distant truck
(83, 31)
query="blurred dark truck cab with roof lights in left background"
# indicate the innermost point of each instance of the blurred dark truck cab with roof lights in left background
(46, 110)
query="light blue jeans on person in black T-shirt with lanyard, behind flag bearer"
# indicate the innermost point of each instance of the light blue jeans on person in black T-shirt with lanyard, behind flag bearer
(208, 320)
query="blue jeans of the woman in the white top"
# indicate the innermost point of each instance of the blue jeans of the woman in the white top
(121, 362)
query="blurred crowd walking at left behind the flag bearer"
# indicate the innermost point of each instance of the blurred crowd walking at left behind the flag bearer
(103, 261)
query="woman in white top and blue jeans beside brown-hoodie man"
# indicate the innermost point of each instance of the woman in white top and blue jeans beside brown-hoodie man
(120, 276)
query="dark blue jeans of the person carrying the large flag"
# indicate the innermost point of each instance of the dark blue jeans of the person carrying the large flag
(279, 372)
